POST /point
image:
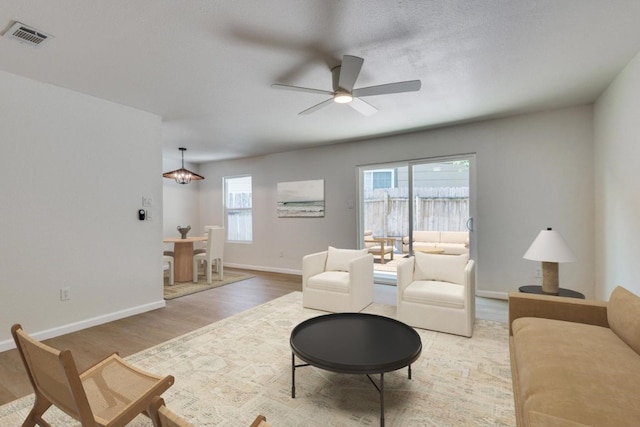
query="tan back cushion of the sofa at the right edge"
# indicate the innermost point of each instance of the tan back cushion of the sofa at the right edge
(623, 315)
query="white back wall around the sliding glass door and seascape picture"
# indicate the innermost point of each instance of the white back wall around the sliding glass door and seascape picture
(533, 171)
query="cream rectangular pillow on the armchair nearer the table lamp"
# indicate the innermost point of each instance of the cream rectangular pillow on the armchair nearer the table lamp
(443, 268)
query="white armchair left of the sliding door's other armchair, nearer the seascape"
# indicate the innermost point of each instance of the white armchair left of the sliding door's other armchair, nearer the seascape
(337, 280)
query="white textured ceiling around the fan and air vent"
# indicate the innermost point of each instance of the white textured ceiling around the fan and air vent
(206, 66)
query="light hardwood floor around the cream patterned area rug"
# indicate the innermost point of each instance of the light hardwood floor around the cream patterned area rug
(182, 315)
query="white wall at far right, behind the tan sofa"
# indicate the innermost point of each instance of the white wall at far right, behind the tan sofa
(617, 162)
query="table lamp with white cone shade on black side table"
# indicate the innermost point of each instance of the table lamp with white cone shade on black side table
(550, 248)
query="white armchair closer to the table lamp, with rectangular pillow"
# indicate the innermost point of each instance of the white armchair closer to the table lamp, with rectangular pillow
(437, 292)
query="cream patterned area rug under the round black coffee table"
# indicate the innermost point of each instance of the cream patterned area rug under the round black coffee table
(228, 372)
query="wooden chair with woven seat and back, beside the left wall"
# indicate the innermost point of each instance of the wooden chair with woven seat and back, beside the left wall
(110, 393)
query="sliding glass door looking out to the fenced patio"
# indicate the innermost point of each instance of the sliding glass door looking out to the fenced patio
(400, 200)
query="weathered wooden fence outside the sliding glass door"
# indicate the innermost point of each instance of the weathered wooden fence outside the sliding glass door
(386, 211)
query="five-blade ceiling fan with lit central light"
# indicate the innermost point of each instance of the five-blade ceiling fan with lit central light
(344, 78)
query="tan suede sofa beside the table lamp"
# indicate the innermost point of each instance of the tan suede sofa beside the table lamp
(575, 362)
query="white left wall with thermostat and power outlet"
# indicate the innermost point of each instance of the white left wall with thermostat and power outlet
(73, 171)
